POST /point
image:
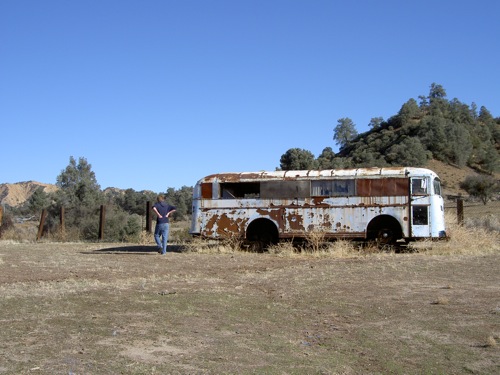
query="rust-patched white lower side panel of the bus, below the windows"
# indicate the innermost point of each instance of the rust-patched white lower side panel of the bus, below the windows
(344, 217)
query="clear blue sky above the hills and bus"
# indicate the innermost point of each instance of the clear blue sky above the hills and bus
(159, 93)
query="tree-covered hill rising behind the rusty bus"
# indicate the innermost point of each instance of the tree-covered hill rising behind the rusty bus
(434, 128)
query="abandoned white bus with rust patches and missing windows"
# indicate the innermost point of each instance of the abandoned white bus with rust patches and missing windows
(388, 205)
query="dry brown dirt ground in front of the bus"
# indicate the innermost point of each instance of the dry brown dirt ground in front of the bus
(75, 308)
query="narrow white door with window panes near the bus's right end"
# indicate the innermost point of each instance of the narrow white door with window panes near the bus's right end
(419, 207)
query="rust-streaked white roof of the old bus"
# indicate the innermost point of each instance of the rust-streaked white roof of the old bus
(320, 174)
